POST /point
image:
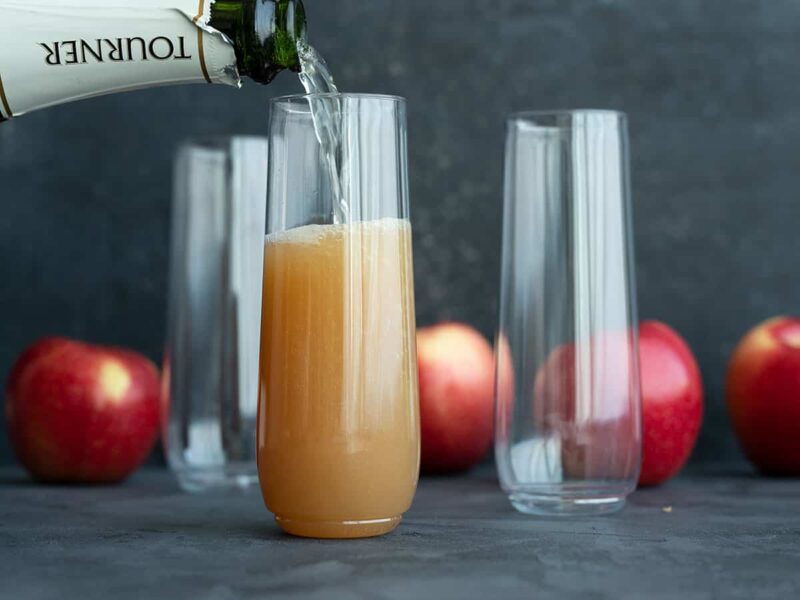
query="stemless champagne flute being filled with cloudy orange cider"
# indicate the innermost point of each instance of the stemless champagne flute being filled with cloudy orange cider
(338, 423)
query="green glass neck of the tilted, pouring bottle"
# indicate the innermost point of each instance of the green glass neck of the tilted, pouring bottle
(264, 34)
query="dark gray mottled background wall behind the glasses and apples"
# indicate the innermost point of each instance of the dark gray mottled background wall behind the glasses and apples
(711, 87)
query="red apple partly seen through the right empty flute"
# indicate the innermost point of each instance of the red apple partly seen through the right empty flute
(597, 428)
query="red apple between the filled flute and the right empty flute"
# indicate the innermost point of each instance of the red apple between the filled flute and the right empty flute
(456, 388)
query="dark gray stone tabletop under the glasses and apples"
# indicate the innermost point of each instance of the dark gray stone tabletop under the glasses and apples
(713, 536)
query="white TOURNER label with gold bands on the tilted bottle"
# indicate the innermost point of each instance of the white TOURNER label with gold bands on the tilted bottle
(55, 51)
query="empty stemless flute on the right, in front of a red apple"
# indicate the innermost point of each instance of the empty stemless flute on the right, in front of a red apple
(567, 427)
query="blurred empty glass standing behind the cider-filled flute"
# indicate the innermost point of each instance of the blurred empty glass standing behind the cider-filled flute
(211, 358)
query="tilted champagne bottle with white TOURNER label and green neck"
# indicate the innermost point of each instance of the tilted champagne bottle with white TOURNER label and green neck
(56, 51)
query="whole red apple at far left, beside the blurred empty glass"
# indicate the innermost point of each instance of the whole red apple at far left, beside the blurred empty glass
(81, 413)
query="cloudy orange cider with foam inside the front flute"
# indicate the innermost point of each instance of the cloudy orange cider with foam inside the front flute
(338, 419)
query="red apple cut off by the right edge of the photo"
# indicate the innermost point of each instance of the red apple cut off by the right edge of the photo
(763, 395)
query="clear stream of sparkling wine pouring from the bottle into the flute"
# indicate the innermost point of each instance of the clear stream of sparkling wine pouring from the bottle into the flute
(326, 115)
